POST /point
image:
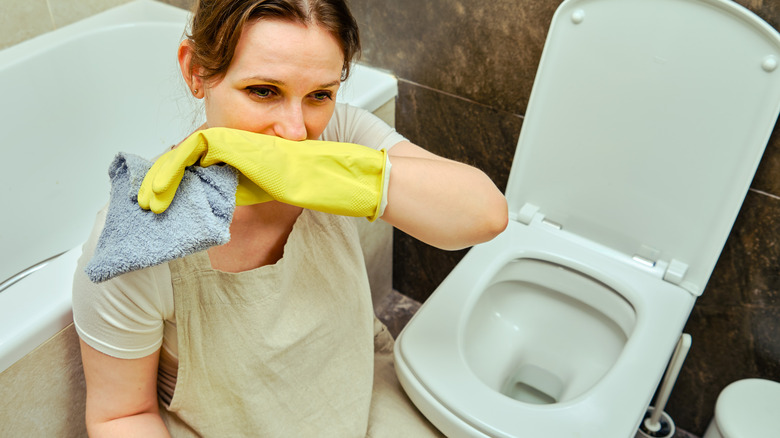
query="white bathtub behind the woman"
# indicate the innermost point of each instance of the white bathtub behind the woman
(72, 98)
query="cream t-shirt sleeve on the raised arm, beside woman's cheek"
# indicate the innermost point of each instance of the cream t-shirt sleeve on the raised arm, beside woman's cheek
(351, 124)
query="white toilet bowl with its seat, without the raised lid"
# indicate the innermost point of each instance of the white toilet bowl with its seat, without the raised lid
(501, 351)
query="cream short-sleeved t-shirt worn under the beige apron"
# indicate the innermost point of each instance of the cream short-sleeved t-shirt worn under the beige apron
(131, 316)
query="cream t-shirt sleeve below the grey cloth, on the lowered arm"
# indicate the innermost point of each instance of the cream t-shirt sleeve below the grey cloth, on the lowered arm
(122, 317)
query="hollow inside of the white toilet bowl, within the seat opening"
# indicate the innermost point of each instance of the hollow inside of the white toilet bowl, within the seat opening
(544, 333)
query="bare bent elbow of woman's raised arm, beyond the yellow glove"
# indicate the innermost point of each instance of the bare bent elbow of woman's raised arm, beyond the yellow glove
(443, 203)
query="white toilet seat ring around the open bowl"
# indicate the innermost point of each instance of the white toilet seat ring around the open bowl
(611, 409)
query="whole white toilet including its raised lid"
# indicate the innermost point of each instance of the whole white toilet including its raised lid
(645, 125)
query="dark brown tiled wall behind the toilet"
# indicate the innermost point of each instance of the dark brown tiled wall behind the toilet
(466, 68)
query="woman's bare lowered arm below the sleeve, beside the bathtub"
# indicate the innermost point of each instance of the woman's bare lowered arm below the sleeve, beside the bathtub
(121, 395)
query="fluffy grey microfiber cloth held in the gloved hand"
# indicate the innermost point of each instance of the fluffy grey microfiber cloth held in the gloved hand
(133, 238)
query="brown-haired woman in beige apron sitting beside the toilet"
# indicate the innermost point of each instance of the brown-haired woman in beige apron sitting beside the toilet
(273, 333)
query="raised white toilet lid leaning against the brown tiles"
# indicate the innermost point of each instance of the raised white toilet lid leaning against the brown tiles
(646, 123)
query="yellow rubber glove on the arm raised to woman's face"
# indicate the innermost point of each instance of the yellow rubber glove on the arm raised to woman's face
(338, 178)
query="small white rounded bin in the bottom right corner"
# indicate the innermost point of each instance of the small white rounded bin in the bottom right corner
(747, 408)
